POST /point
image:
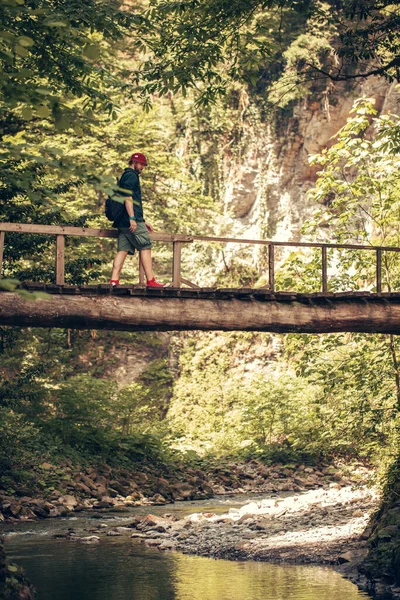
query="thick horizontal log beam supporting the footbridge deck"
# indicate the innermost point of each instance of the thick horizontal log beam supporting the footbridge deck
(138, 313)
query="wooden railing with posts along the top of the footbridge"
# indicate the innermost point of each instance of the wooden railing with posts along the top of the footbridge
(177, 240)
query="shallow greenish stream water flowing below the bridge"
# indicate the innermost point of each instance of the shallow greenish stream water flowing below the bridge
(121, 568)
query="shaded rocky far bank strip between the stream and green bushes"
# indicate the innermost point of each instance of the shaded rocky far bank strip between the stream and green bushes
(61, 490)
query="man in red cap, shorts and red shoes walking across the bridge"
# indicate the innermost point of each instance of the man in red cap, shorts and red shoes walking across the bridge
(133, 231)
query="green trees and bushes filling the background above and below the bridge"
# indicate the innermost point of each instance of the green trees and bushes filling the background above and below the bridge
(75, 80)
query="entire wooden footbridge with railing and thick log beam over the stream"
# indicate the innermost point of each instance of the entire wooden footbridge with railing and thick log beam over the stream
(185, 305)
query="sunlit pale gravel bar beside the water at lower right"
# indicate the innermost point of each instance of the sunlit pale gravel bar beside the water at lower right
(320, 526)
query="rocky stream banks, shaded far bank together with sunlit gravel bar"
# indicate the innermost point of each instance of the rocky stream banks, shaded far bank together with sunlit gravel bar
(300, 514)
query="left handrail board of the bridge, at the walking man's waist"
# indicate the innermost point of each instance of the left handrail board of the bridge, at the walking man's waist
(84, 232)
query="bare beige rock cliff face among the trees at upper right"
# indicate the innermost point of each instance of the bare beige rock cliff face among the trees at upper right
(264, 190)
